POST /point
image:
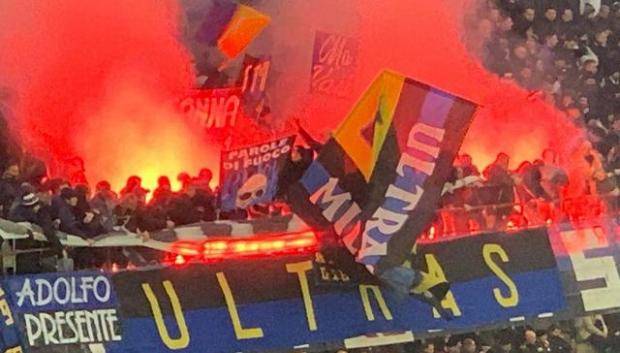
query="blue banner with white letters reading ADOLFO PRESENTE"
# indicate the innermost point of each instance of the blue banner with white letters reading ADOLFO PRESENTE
(62, 312)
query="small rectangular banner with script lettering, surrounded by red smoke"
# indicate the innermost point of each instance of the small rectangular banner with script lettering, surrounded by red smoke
(334, 62)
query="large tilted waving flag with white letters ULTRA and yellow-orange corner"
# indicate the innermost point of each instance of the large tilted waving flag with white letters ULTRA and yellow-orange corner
(378, 181)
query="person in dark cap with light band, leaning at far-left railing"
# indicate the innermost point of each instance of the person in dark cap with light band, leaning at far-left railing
(31, 210)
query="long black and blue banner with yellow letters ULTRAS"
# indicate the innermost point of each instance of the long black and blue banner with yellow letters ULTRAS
(274, 303)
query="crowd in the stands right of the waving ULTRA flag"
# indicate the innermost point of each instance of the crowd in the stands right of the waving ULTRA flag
(568, 53)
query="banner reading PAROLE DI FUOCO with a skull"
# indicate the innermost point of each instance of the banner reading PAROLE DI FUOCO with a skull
(249, 175)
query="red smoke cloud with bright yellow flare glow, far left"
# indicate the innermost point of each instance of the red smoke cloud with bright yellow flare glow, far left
(97, 79)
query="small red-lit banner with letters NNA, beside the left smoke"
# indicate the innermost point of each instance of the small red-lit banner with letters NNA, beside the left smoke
(212, 108)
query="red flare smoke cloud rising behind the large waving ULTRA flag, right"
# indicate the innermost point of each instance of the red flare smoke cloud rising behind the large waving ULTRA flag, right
(424, 40)
